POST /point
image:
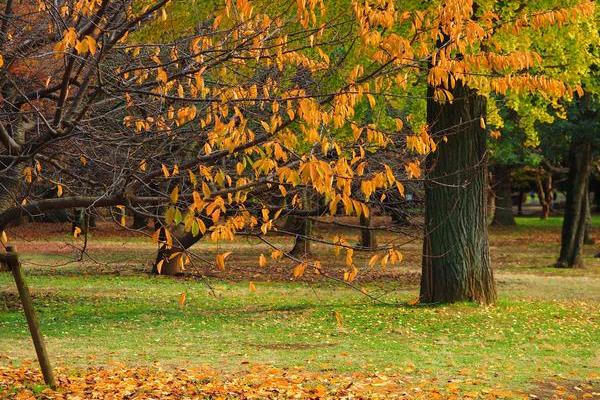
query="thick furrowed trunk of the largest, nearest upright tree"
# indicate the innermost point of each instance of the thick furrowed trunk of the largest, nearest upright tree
(456, 263)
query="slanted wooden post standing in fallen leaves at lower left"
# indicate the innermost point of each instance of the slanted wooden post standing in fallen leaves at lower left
(12, 259)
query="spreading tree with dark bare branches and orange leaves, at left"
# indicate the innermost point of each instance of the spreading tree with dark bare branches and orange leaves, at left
(222, 129)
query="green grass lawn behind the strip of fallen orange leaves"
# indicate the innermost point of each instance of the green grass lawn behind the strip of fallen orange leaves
(546, 323)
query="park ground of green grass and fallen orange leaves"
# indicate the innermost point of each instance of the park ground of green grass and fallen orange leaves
(313, 337)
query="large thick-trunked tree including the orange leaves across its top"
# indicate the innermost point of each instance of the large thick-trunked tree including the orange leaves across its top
(462, 44)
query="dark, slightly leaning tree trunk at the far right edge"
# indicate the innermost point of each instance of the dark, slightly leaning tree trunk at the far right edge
(574, 223)
